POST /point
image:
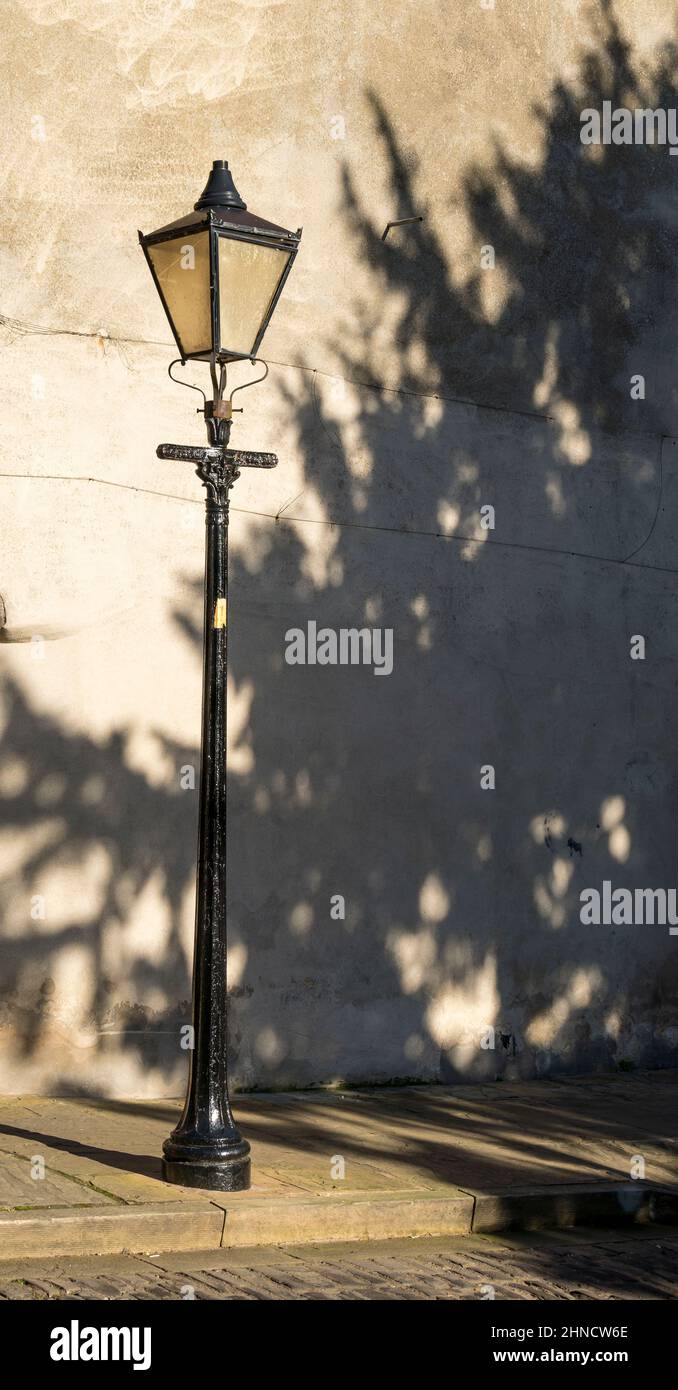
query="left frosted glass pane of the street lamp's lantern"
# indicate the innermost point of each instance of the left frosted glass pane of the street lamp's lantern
(183, 269)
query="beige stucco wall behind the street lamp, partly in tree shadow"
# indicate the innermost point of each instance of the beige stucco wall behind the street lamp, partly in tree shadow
(408, 389)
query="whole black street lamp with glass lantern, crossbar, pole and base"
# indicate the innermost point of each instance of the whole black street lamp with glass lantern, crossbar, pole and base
(220, 273)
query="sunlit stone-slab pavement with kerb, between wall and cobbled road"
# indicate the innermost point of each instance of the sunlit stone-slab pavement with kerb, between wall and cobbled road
(83, 1175)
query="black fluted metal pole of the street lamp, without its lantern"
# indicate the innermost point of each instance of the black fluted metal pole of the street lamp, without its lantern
(206, 1149)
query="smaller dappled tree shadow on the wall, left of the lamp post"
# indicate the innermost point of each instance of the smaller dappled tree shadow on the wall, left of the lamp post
(92, 836)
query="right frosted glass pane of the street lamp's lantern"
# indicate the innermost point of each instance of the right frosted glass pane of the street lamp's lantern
(249, 276)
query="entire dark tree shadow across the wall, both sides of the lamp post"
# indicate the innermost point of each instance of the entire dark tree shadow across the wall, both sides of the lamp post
(511, 650)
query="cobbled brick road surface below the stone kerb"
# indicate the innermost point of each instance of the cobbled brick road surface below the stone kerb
(602, 1266)
